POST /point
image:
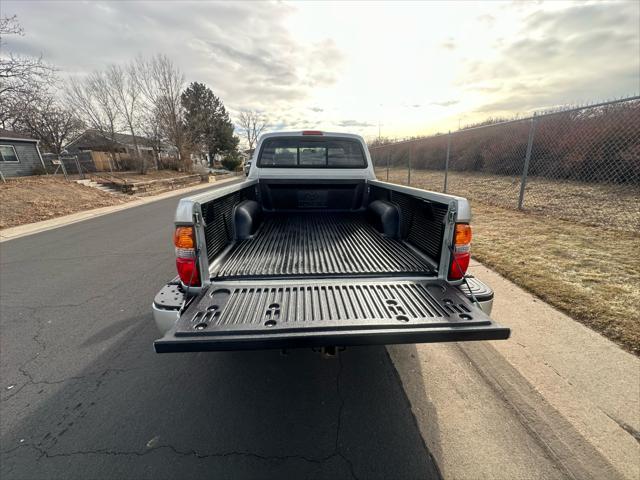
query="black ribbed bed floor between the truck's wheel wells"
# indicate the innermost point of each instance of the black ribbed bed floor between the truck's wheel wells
(319, 244)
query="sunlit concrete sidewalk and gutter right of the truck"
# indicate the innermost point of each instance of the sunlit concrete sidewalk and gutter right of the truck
(556, 400)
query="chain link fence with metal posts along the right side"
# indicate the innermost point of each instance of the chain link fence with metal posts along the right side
(581, 165)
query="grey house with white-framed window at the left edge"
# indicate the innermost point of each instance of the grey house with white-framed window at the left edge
(19, 154)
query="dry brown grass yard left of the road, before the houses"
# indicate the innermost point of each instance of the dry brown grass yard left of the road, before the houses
(32, 199)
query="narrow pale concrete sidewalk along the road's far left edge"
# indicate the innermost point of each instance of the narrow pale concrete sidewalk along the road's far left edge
(36, 227)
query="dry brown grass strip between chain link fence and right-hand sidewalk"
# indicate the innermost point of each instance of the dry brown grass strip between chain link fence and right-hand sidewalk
(590, 273)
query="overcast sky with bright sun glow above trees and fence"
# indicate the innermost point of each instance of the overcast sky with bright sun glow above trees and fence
(415, 68)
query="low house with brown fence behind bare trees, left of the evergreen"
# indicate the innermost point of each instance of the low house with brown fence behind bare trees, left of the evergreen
(122, 148)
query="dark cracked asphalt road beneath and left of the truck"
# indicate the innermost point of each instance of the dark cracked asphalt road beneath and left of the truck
(83, 395)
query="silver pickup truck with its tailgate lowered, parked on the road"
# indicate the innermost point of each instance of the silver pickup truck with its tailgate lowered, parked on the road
(311, 250)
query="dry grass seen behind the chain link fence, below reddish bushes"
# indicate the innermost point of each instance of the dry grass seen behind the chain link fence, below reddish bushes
(611, 206)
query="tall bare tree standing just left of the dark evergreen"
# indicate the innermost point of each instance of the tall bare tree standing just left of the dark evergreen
(161, 82)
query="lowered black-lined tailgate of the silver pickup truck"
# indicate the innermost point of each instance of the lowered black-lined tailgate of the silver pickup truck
(288, 314)
